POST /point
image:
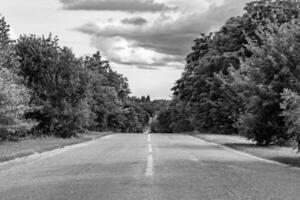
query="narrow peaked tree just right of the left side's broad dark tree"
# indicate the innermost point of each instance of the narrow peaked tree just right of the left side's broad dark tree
(103, 91)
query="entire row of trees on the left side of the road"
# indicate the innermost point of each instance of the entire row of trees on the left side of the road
(46, 90)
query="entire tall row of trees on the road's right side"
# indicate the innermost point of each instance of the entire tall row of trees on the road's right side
(242, 79)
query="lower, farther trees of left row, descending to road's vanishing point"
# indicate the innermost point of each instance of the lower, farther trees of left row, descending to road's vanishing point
(109, 101)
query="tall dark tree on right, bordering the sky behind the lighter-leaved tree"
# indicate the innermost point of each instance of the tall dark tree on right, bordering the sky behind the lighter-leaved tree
(211, 104)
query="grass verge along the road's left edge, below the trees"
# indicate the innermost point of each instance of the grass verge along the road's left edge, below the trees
(29, 146)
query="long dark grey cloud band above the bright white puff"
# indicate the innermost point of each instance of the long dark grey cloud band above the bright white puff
(169, 37)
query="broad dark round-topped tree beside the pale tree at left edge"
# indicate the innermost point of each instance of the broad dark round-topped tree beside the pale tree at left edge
(58, 81)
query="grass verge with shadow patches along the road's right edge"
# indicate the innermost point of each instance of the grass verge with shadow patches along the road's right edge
(285, 155)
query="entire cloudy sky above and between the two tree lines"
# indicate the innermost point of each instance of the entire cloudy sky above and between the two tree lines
(146, 40)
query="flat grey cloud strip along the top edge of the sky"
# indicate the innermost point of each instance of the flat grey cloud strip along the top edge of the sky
(116, 5)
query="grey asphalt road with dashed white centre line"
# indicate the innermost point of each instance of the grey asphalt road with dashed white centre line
(142, 167)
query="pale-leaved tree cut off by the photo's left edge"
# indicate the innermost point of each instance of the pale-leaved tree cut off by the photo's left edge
(14, 96)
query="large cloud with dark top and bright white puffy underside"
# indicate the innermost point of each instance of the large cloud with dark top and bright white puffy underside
(166, 38)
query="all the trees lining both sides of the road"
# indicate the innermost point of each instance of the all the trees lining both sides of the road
(242, 79)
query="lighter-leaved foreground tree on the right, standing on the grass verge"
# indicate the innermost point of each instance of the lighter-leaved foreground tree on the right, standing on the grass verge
(273, 67)
